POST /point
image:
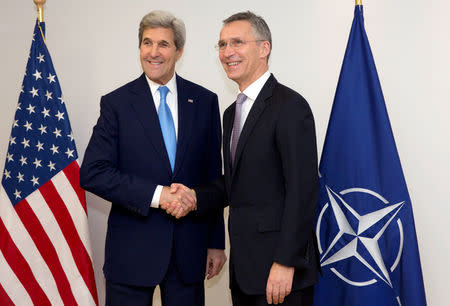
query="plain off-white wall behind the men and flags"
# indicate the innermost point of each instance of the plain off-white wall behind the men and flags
(94, 48)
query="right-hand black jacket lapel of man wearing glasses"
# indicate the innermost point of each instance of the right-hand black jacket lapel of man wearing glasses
(253, 116)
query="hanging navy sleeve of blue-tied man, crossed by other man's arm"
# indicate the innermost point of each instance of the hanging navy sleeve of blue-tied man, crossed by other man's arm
(216, 224)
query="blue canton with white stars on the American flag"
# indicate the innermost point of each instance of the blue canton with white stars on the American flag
(41, 142)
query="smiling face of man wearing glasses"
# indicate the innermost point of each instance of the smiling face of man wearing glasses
(246, 62)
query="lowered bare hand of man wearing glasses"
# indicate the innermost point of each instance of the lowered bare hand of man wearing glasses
(279, 283)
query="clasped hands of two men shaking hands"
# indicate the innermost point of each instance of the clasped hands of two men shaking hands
(178, 200)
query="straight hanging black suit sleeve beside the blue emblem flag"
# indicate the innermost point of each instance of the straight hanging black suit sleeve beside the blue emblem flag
(296, 142)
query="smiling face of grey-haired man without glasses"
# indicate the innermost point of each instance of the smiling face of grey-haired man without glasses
(159, 54)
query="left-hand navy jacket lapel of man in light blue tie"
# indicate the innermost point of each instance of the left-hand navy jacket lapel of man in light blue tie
(144, 106)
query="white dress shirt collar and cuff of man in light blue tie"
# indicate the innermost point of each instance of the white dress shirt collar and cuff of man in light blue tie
(172, 102)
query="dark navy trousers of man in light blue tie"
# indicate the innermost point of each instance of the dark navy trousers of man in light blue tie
(173, 292)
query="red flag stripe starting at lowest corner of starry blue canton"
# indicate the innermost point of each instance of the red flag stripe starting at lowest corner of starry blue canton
(47, 250)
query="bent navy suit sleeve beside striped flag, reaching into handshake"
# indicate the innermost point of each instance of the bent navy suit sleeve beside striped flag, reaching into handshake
(99, 171)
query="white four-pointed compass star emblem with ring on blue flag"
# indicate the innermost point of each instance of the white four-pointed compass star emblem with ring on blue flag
(358, 236)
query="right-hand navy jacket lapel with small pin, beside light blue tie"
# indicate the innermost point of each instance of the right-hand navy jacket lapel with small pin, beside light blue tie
(186, 114)
